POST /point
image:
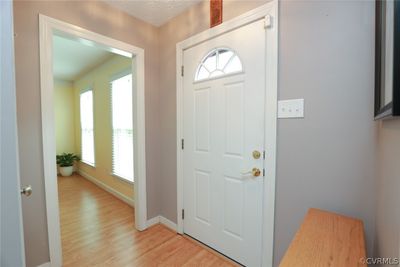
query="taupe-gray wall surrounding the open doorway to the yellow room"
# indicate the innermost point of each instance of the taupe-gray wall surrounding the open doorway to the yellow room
(98, 17)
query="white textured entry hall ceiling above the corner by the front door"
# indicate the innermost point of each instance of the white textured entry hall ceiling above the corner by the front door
(155, 12)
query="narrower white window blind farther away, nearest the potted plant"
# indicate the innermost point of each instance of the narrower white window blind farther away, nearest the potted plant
(87, 132)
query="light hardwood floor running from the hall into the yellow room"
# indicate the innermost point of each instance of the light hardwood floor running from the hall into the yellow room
(97, 229)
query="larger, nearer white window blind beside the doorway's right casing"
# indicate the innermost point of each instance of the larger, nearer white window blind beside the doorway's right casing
(122, 127)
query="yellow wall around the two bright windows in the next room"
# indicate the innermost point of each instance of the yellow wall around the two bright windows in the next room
(99, 80)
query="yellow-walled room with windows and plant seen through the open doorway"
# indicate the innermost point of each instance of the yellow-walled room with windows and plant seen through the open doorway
(94, 143)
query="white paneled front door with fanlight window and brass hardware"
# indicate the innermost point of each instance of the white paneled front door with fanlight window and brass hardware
(223, 124)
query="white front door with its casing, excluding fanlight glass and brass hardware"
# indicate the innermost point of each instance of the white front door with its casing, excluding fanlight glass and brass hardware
(222, 121)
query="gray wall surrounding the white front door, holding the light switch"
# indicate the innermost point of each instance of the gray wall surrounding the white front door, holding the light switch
(327, 159)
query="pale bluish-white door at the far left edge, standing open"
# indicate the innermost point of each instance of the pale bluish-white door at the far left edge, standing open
(11, 234)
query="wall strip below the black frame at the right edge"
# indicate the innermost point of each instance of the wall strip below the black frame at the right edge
(388, 191)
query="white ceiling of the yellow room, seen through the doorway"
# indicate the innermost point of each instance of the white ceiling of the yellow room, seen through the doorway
(72, 58)
